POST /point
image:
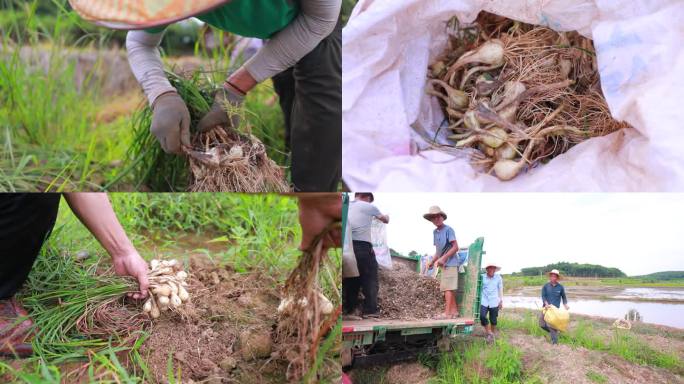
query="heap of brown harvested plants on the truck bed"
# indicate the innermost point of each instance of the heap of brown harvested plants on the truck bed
(404, 294)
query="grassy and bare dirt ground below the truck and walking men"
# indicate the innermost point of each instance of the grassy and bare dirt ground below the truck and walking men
(590, 352)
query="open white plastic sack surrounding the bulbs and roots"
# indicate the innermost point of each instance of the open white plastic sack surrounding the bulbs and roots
(388, 45)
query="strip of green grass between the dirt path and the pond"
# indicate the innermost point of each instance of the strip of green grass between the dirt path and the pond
(582, 334)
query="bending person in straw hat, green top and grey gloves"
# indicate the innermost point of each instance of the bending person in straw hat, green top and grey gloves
(302, 55)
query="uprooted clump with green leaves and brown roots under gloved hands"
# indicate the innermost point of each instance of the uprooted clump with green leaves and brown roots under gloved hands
(223, 159)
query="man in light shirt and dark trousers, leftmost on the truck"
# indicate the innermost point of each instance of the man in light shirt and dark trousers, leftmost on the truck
(361, 214)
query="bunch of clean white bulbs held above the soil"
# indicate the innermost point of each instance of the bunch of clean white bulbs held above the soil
(167, 287)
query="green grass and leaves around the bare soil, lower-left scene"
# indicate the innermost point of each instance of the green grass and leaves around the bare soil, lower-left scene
(248, 233)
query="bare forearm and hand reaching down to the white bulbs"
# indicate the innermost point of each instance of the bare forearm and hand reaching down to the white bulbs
(96, 213)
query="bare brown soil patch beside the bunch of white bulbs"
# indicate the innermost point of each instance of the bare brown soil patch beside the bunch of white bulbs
(225, 335)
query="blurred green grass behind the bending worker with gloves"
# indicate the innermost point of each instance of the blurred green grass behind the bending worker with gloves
(61, 128)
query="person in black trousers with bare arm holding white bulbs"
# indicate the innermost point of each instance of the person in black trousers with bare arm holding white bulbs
(26, 221)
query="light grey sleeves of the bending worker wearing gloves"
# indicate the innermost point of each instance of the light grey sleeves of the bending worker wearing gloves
(316, 20)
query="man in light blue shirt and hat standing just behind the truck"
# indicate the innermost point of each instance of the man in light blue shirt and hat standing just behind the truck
(491, 299)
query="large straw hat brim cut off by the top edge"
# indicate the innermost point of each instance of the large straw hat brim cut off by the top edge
(127, 14)
